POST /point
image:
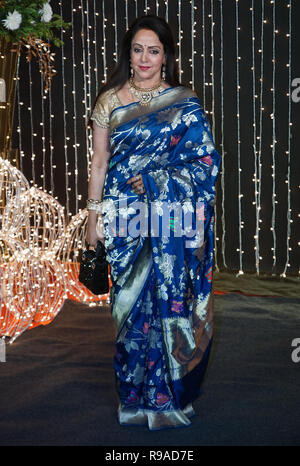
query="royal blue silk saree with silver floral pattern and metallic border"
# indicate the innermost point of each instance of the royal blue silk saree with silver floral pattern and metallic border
(160, 246)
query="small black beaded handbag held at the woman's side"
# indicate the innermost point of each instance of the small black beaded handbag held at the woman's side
(93, 272)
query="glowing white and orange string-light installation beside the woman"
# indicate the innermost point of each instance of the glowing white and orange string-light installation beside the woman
(39, 255)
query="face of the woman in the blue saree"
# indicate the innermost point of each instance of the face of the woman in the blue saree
(147, 56)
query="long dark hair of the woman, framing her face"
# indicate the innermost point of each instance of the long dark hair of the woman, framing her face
(121, 73)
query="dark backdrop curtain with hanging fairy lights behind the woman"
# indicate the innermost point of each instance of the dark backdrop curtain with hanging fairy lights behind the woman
(255, 127)
